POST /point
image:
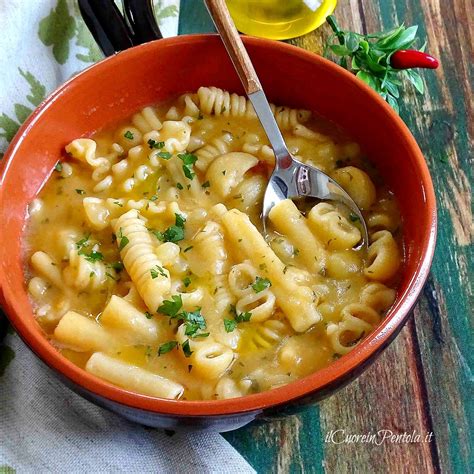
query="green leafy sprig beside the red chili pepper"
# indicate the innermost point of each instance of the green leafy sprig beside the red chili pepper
(368, 57)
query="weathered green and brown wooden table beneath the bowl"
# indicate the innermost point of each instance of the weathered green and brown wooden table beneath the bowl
(423, 381)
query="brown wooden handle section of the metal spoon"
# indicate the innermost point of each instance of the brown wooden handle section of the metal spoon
(225, 26)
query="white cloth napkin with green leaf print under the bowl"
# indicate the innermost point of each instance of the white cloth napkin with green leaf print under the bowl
(45, 427)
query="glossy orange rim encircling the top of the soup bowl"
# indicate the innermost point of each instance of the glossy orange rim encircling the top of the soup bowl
(325, 378)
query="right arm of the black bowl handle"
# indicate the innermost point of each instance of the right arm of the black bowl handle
(141, 18)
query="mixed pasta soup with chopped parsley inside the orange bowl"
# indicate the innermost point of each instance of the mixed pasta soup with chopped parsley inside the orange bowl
(147, 268)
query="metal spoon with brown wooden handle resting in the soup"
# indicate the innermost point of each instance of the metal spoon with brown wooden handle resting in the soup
(290, 179)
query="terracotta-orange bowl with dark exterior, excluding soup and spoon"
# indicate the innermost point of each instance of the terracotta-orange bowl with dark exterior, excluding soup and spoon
(154, 72)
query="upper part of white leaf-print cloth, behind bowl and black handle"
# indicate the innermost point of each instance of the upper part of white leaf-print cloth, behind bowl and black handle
(44, 43)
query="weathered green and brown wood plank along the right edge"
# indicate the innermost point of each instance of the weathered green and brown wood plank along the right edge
(441, 122)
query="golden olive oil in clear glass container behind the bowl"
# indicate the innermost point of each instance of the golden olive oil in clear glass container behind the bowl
(279, 19)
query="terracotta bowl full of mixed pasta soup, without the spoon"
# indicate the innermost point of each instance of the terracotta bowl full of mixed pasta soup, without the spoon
(149, 284)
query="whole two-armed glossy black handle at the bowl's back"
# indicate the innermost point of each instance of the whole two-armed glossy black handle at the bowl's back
(114, 33)
